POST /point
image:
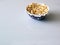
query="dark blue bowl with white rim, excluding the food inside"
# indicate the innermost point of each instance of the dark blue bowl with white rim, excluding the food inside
(38, 16)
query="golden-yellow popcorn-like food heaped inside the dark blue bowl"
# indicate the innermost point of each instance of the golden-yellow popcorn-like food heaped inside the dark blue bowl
(38, 9)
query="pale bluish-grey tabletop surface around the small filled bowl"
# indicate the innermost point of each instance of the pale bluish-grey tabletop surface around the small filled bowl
(17, 28)
